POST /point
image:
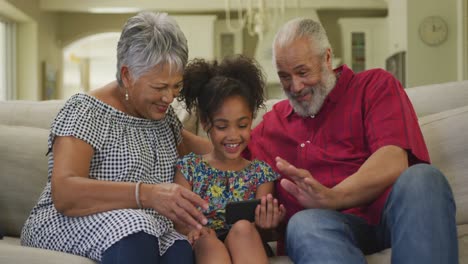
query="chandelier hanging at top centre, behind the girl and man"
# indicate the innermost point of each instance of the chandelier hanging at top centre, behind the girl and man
(257, 16)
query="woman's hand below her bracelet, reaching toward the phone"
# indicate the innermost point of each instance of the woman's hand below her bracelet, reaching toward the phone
(176, 203)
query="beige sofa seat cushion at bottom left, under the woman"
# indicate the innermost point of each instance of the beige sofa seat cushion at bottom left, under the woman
(12, 252)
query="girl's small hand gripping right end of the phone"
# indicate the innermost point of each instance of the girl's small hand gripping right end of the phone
(268, 213)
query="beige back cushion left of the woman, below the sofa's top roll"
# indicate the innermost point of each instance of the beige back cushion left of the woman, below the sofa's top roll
(23, 172)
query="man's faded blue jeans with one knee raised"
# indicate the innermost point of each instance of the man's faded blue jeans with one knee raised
(418, 223)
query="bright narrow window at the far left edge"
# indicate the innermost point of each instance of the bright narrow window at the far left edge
(7, 60)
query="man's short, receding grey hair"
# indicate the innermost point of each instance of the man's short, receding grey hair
(302, 27)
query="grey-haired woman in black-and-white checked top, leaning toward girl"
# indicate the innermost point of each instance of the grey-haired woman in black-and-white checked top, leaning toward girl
(112, 153)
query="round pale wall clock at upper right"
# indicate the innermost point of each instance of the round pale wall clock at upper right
(433, 30)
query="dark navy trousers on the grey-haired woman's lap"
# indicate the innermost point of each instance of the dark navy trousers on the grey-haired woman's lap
(142, 248)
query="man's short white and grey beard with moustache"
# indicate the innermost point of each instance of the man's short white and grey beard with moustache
(319, 92)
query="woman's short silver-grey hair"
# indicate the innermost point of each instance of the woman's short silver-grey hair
(149, 39)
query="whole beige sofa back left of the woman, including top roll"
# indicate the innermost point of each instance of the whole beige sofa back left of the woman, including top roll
(24, 128)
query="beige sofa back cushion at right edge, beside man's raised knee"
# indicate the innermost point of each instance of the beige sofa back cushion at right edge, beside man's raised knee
(445, 136)
